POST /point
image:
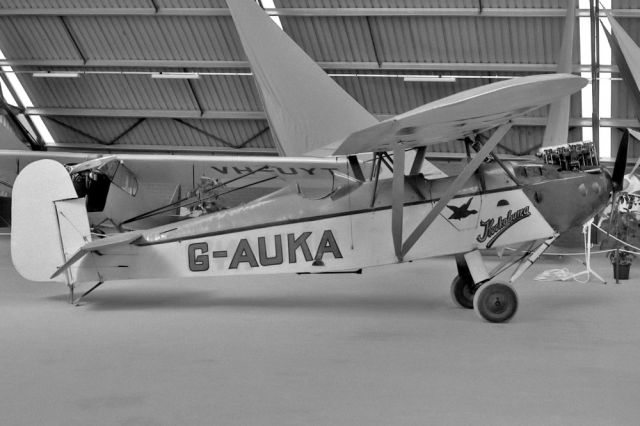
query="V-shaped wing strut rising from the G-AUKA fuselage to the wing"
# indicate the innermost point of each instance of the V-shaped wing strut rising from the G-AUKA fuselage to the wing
(398, 192)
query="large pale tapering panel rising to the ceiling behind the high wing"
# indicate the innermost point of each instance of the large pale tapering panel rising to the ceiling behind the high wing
(305, 107)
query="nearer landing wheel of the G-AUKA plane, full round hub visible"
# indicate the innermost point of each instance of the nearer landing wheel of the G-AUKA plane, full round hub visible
(496, 302)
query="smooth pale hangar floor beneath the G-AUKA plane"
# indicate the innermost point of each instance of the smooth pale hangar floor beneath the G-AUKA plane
(384, 348)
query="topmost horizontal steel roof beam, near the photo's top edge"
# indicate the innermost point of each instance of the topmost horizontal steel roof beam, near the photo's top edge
(311, 12)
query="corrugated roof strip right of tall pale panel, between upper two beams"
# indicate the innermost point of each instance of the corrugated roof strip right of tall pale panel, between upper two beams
(428, 39)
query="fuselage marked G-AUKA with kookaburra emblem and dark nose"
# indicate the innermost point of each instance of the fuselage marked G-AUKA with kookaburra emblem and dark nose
(285, 232)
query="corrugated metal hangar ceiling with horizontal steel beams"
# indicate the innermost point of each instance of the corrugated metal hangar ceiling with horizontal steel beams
(110, 53)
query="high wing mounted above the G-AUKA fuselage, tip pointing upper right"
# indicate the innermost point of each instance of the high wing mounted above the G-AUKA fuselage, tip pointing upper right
(462, 114)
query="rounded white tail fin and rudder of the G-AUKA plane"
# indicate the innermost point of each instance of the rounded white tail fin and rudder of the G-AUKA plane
(49, 222)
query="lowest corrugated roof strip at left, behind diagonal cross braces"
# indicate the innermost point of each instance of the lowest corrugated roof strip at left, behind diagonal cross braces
(164, 132)
